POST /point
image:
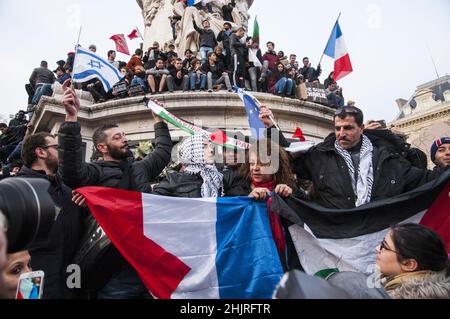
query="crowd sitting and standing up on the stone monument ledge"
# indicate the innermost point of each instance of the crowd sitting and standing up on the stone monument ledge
(230, 58)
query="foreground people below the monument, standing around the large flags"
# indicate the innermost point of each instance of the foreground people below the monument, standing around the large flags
(352, 167)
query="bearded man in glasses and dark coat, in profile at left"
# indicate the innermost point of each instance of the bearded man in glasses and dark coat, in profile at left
(40, 157)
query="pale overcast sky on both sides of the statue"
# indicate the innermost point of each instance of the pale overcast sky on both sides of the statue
(387, 41)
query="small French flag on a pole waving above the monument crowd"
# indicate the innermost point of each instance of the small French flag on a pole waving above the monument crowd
(337, 50)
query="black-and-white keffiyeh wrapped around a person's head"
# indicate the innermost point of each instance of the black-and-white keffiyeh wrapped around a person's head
(192, 156)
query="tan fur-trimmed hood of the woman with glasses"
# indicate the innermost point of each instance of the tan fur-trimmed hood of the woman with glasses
(420, 285)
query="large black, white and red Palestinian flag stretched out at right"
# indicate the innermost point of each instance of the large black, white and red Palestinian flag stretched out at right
(346, 240)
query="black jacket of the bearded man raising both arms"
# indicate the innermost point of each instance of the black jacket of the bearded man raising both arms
(76, 173)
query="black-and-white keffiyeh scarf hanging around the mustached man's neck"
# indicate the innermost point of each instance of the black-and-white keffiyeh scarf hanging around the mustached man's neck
(363, 186)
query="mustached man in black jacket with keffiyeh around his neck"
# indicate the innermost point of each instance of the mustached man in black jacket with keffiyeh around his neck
(353, 167)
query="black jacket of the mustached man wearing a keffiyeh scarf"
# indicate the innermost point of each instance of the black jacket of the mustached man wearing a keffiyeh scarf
(393, 174)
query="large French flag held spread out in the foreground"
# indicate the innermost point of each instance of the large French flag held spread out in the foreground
(191, 248)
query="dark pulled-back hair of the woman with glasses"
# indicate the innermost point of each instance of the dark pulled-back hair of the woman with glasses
(414, 241)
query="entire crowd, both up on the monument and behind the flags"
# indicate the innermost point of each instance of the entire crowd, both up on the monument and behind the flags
(356, 165)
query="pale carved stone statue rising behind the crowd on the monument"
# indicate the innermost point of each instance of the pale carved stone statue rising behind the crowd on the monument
(170, 21)
